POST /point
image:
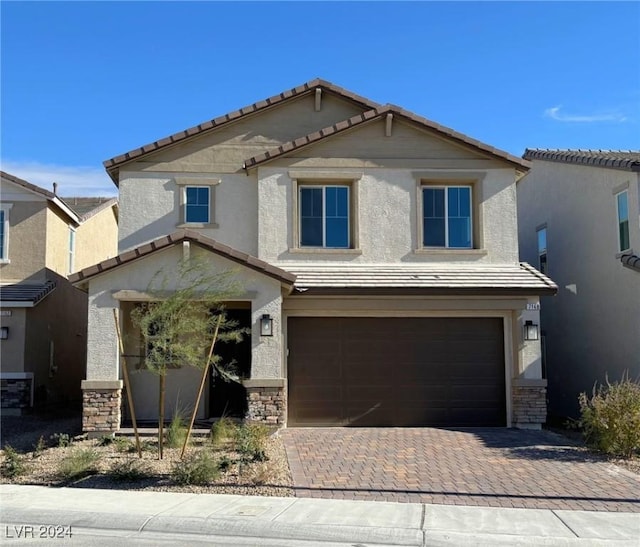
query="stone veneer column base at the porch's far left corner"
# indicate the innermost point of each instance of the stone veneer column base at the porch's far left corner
(101, 401)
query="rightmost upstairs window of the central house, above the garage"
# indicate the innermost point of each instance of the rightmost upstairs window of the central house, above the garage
(447, 221)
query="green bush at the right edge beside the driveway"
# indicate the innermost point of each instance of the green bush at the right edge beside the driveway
(610, 418)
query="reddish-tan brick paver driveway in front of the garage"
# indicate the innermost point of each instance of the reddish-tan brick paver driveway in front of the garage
(491, 467)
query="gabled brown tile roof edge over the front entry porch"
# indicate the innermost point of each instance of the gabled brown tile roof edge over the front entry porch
(176, 237)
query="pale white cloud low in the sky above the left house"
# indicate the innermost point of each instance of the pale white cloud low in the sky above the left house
(72, 180)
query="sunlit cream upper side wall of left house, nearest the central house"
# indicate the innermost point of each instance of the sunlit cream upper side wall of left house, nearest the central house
(96, 239)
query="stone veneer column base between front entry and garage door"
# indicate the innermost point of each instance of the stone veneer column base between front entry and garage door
(267, 401)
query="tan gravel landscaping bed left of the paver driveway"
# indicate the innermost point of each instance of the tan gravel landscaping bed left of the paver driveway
(262, 478)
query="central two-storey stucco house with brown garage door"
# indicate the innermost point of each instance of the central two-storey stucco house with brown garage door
(377, 249)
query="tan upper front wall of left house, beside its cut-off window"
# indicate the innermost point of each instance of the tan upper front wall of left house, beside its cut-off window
(27, 242)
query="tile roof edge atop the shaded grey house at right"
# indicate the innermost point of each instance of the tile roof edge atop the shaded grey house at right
(628, 160)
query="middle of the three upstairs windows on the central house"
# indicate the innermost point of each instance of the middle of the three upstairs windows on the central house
(324, 216)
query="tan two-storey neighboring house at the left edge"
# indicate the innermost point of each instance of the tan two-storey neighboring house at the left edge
(43, 239)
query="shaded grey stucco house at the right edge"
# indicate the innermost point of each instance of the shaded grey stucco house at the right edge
(579, 222)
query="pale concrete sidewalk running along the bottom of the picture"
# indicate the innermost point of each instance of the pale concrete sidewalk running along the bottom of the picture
(291, 521)
